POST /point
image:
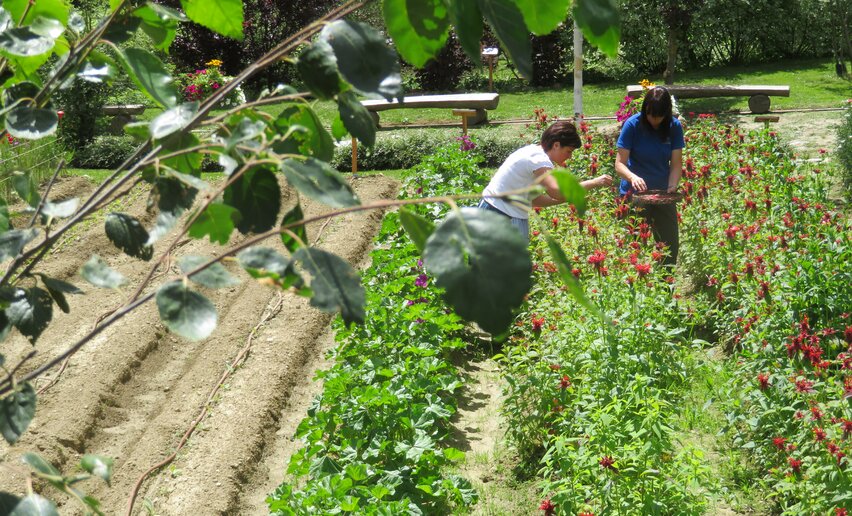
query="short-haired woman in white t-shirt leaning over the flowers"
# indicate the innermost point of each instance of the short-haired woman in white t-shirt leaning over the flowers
(532, 164)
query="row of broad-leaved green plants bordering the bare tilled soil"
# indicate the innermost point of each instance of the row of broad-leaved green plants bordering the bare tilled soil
(376, 439)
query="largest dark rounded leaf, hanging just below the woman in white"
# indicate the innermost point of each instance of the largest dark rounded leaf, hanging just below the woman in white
(482, 262)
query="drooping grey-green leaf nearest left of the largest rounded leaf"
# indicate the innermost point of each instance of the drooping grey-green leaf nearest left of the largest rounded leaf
(335, 284)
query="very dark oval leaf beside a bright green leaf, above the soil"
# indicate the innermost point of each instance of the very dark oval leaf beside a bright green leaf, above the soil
(257, 196)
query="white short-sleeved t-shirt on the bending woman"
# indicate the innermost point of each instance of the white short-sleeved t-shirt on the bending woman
(514, 174)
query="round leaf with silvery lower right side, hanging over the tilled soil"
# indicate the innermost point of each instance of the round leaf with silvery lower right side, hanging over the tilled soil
(185, 312)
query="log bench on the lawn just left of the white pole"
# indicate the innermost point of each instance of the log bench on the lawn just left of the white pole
(461, 102)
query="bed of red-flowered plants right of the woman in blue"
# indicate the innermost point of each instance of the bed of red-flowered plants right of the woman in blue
(774, 263)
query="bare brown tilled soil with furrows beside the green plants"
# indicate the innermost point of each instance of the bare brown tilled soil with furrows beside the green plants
(132, 392)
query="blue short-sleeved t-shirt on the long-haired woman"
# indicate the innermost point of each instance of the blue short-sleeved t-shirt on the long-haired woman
(650, 156)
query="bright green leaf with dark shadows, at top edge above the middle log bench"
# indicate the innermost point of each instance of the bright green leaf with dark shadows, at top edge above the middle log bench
(419, 28)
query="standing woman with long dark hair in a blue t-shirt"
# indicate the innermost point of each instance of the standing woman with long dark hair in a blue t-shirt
(650, 152)
